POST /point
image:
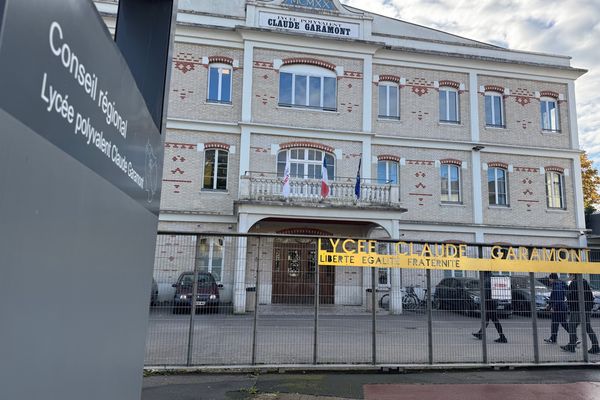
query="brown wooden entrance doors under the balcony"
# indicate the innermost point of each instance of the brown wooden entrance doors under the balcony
(295, 265)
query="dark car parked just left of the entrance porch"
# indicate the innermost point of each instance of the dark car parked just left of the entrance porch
(207, 294)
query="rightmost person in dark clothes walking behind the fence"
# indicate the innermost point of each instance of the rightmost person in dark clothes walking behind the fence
(575, 315)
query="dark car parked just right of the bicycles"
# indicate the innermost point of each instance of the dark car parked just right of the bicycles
(463, 295)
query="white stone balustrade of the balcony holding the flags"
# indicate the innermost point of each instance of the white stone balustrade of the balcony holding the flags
(263, 188)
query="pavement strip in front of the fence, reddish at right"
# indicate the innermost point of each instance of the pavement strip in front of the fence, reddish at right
(523, 384)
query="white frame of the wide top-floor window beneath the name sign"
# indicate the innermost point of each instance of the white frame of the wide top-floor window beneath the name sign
(308, 72)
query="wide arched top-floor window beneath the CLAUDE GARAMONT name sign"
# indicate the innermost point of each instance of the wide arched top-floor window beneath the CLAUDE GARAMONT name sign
(307, 86)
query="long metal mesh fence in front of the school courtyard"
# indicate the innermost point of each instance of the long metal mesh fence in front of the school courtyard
(264, 300)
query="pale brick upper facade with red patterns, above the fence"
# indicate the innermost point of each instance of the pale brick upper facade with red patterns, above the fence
(255, 126)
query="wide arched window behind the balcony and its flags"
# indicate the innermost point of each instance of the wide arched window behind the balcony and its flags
(305, 163)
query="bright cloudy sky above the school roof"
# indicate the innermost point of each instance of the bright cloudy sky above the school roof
(565, 27)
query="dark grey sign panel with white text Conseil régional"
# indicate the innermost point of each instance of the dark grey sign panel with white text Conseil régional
(64, 77)
